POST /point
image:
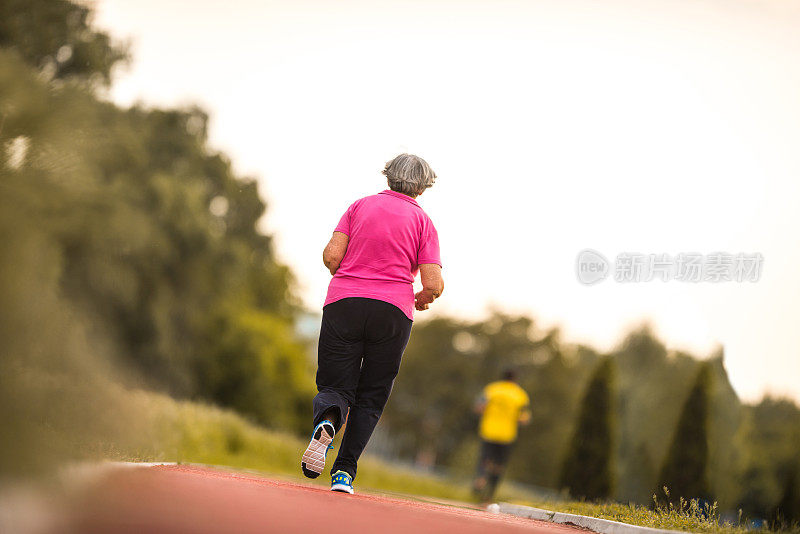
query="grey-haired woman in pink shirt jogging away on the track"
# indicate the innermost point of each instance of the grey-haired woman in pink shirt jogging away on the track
(374, 255)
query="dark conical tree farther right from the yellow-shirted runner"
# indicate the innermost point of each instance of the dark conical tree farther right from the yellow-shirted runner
(685, 470)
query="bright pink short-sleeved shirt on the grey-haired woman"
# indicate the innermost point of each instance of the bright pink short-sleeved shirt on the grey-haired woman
(390, 236)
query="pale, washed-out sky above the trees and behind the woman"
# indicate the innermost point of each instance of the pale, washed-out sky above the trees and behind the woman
(623, 126)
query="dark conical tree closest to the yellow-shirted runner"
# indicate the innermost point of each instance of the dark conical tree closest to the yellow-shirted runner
(587, 469)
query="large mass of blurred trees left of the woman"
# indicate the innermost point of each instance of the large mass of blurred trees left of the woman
(128, 245)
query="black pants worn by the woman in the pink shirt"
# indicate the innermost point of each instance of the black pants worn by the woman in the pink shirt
(361, 343)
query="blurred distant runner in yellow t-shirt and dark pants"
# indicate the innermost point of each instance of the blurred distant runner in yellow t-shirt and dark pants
(503, 406)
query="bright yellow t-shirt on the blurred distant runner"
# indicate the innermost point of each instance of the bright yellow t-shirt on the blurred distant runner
(505, 401)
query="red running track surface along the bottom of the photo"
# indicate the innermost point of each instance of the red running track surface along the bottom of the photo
(183, 499)
